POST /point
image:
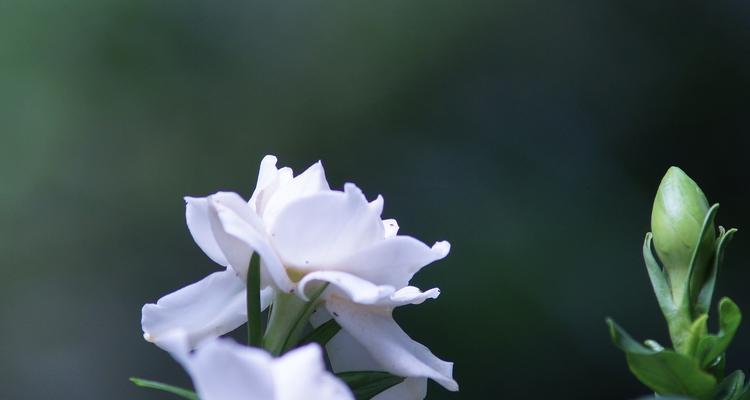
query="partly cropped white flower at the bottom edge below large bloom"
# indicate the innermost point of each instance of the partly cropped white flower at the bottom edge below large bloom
(224, 370)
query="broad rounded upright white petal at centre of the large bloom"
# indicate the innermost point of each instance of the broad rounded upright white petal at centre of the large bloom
(322, 229)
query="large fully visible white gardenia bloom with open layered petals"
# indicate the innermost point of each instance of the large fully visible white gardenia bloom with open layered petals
(305, 233)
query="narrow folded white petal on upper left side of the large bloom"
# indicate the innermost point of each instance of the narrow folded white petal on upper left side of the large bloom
(239, 232)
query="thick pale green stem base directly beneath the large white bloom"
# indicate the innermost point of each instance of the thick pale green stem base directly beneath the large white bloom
(289, 316)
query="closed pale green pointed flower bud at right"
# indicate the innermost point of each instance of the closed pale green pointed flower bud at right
(680, 208)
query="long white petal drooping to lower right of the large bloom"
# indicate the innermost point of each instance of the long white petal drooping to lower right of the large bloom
(388, 344)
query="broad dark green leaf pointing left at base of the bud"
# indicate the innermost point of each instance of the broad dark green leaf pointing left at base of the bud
(665, 372)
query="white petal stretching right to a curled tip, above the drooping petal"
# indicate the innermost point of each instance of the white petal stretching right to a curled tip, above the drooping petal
(392, 261)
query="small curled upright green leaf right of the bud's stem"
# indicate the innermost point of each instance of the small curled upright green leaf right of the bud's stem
(712, 346)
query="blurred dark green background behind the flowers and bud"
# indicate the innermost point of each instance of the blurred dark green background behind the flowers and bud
(531, 135)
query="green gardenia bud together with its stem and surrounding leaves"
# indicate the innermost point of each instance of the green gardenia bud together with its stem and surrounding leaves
(683, 279)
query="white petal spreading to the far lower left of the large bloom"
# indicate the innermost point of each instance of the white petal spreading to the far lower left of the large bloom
(208, 308)
